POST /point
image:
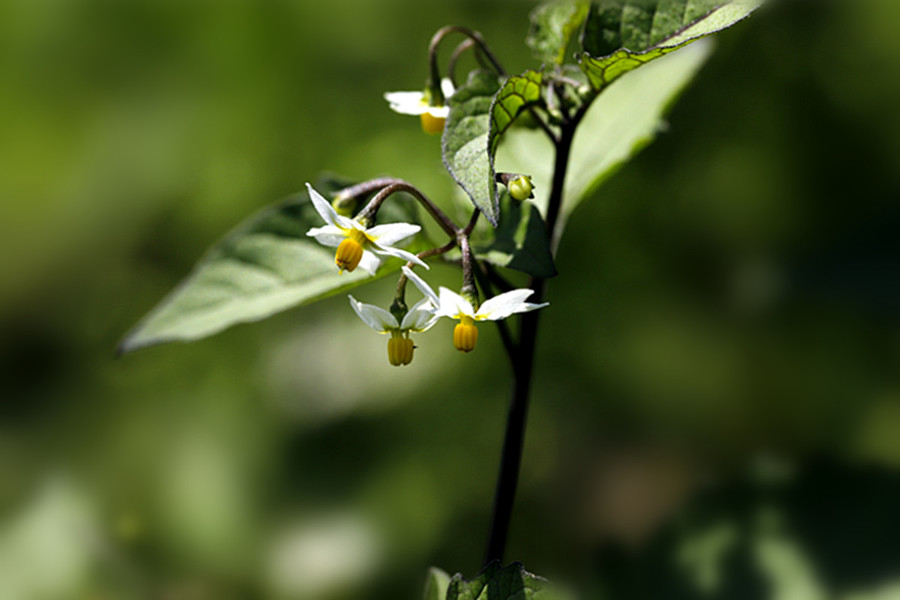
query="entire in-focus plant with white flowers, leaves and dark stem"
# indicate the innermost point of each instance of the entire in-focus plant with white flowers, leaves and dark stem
(557, 131)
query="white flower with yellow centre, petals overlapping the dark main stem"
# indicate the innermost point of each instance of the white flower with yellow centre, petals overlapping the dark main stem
(465, 334)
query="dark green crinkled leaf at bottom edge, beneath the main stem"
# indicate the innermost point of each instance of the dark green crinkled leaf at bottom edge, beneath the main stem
(503, 583)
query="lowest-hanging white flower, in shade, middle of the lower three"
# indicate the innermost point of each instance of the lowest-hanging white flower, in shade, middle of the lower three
(419, 318)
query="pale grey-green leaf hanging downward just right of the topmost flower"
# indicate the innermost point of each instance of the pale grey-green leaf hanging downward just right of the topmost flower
(465, 141)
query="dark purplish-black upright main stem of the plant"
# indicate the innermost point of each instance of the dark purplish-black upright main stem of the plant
(522, 363)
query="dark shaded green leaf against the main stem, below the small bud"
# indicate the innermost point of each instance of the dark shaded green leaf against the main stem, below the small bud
(520, 241)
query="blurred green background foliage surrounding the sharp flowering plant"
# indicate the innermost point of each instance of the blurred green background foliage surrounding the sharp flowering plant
(717, 403)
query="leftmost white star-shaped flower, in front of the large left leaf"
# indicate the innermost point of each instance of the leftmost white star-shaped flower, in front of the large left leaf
(356, 244)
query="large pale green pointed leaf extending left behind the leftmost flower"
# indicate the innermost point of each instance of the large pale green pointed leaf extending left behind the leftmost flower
(266, 265)
